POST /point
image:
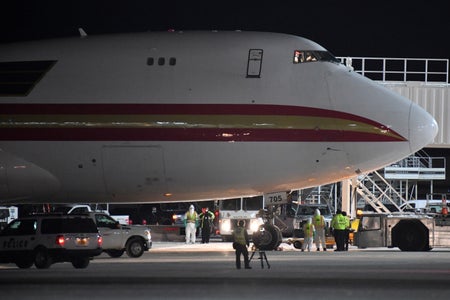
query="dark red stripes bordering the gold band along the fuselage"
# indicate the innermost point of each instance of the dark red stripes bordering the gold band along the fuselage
(186, 134)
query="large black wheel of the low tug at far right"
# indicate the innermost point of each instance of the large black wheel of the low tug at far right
(410, 235)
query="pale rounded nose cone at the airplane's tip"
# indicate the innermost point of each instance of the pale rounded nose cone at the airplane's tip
(422, 128)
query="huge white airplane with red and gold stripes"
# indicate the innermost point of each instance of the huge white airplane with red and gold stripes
(195, 115)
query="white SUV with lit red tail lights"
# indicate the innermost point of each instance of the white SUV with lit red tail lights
(46, 239)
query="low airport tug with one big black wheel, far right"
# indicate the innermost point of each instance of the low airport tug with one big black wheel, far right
(407, 231)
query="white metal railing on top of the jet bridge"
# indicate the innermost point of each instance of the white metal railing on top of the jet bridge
(428, 70)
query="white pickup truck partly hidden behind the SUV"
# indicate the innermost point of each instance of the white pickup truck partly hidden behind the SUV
(119, 238)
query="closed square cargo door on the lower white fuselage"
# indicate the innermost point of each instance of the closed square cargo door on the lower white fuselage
(133, 170)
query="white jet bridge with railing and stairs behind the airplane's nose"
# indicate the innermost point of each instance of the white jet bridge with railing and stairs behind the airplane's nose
(426, 82)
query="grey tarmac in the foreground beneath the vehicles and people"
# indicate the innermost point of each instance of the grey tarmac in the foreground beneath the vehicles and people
(175, 270)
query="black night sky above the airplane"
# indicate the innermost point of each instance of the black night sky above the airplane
(415, 28)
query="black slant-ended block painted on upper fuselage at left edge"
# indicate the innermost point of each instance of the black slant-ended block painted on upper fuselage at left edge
(18, 78)
